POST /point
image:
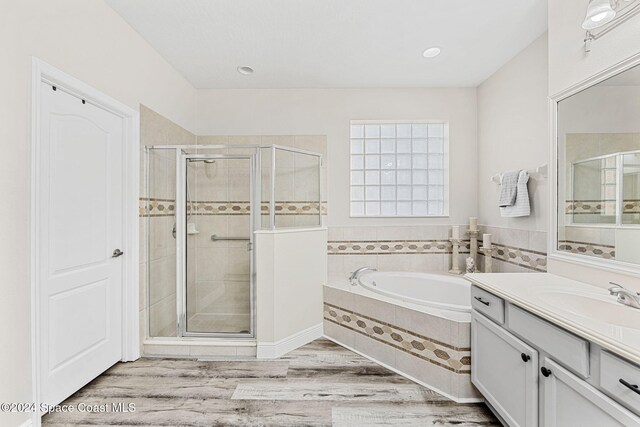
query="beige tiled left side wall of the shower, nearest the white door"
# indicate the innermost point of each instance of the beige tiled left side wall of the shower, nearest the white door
(157, 218)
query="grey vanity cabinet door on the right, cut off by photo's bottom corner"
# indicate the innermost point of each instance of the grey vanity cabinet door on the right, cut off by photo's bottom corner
(570, 401)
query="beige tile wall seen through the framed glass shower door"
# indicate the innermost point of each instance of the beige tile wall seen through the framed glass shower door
(219, 291)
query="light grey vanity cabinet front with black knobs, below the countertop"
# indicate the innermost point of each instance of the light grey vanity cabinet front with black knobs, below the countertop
(533, 372)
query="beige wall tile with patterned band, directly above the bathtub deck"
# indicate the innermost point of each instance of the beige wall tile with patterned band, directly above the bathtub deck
(427, 249)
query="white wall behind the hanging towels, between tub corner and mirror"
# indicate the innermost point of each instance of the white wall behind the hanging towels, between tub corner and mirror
(513, 133)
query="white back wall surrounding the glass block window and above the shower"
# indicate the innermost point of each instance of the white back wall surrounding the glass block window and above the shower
(328, 112)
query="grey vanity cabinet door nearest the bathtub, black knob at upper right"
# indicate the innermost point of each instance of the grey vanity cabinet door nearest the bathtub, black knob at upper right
(505, 370)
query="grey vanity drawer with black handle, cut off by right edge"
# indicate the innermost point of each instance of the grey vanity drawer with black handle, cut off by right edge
(613, 371)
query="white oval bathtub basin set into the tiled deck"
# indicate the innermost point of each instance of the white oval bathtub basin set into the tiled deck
(438, 291)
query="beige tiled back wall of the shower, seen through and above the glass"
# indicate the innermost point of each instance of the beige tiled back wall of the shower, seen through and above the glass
(220, 291)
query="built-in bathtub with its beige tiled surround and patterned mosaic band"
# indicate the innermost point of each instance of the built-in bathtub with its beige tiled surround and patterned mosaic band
(416, 324)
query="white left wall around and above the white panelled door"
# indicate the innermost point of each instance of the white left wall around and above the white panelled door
(88, 40)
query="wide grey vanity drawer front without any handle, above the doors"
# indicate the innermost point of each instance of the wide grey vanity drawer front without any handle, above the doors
(564, 347)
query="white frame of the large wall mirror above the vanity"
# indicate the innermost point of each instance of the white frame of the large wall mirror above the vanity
(553, 254)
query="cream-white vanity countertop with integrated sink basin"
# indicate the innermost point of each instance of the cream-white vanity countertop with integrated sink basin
(586, 310)
